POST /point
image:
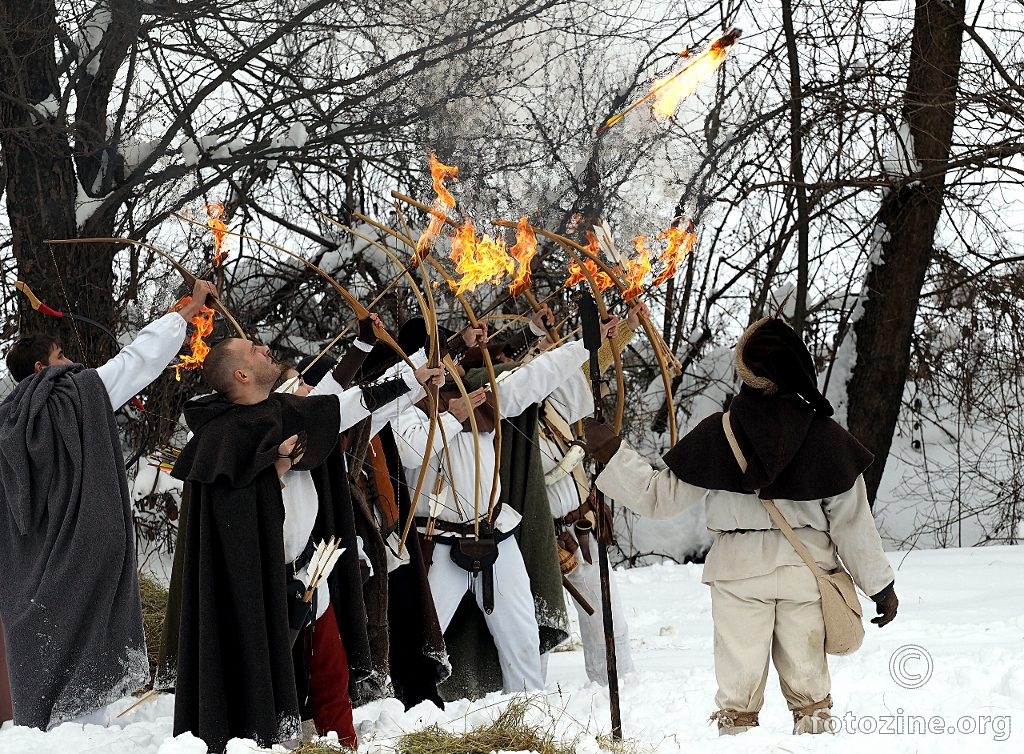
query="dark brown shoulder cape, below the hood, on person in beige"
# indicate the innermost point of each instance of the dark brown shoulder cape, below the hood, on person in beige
(793, 452)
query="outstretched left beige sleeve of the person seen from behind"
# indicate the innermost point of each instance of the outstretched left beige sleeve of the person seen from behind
(634, 483)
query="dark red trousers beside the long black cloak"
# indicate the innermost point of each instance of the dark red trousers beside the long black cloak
(329, 700)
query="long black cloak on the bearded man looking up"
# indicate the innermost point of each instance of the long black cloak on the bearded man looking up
(235, 674)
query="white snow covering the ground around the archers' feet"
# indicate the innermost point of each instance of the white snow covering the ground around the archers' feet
(951, 660)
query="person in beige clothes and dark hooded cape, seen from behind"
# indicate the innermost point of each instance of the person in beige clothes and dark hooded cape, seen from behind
(766, 605)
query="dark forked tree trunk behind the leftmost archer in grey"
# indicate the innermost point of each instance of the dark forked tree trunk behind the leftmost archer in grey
(42, 190)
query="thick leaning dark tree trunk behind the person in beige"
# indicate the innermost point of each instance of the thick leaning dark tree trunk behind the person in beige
(908, 219)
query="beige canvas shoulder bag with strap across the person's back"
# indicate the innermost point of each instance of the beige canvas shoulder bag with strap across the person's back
(840, 606)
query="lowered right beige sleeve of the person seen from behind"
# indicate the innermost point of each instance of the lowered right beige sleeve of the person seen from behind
(851, 527)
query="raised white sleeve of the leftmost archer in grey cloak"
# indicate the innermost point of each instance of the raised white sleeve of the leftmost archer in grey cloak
(145, 359)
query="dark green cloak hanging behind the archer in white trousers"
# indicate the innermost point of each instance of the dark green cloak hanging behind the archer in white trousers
(476, 671)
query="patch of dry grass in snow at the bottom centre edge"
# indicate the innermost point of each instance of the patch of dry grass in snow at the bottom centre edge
(509, 732)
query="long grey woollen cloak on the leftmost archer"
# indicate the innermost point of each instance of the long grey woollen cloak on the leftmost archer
(69, 585)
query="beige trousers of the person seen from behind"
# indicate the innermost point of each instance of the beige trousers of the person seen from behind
(779, 614)
